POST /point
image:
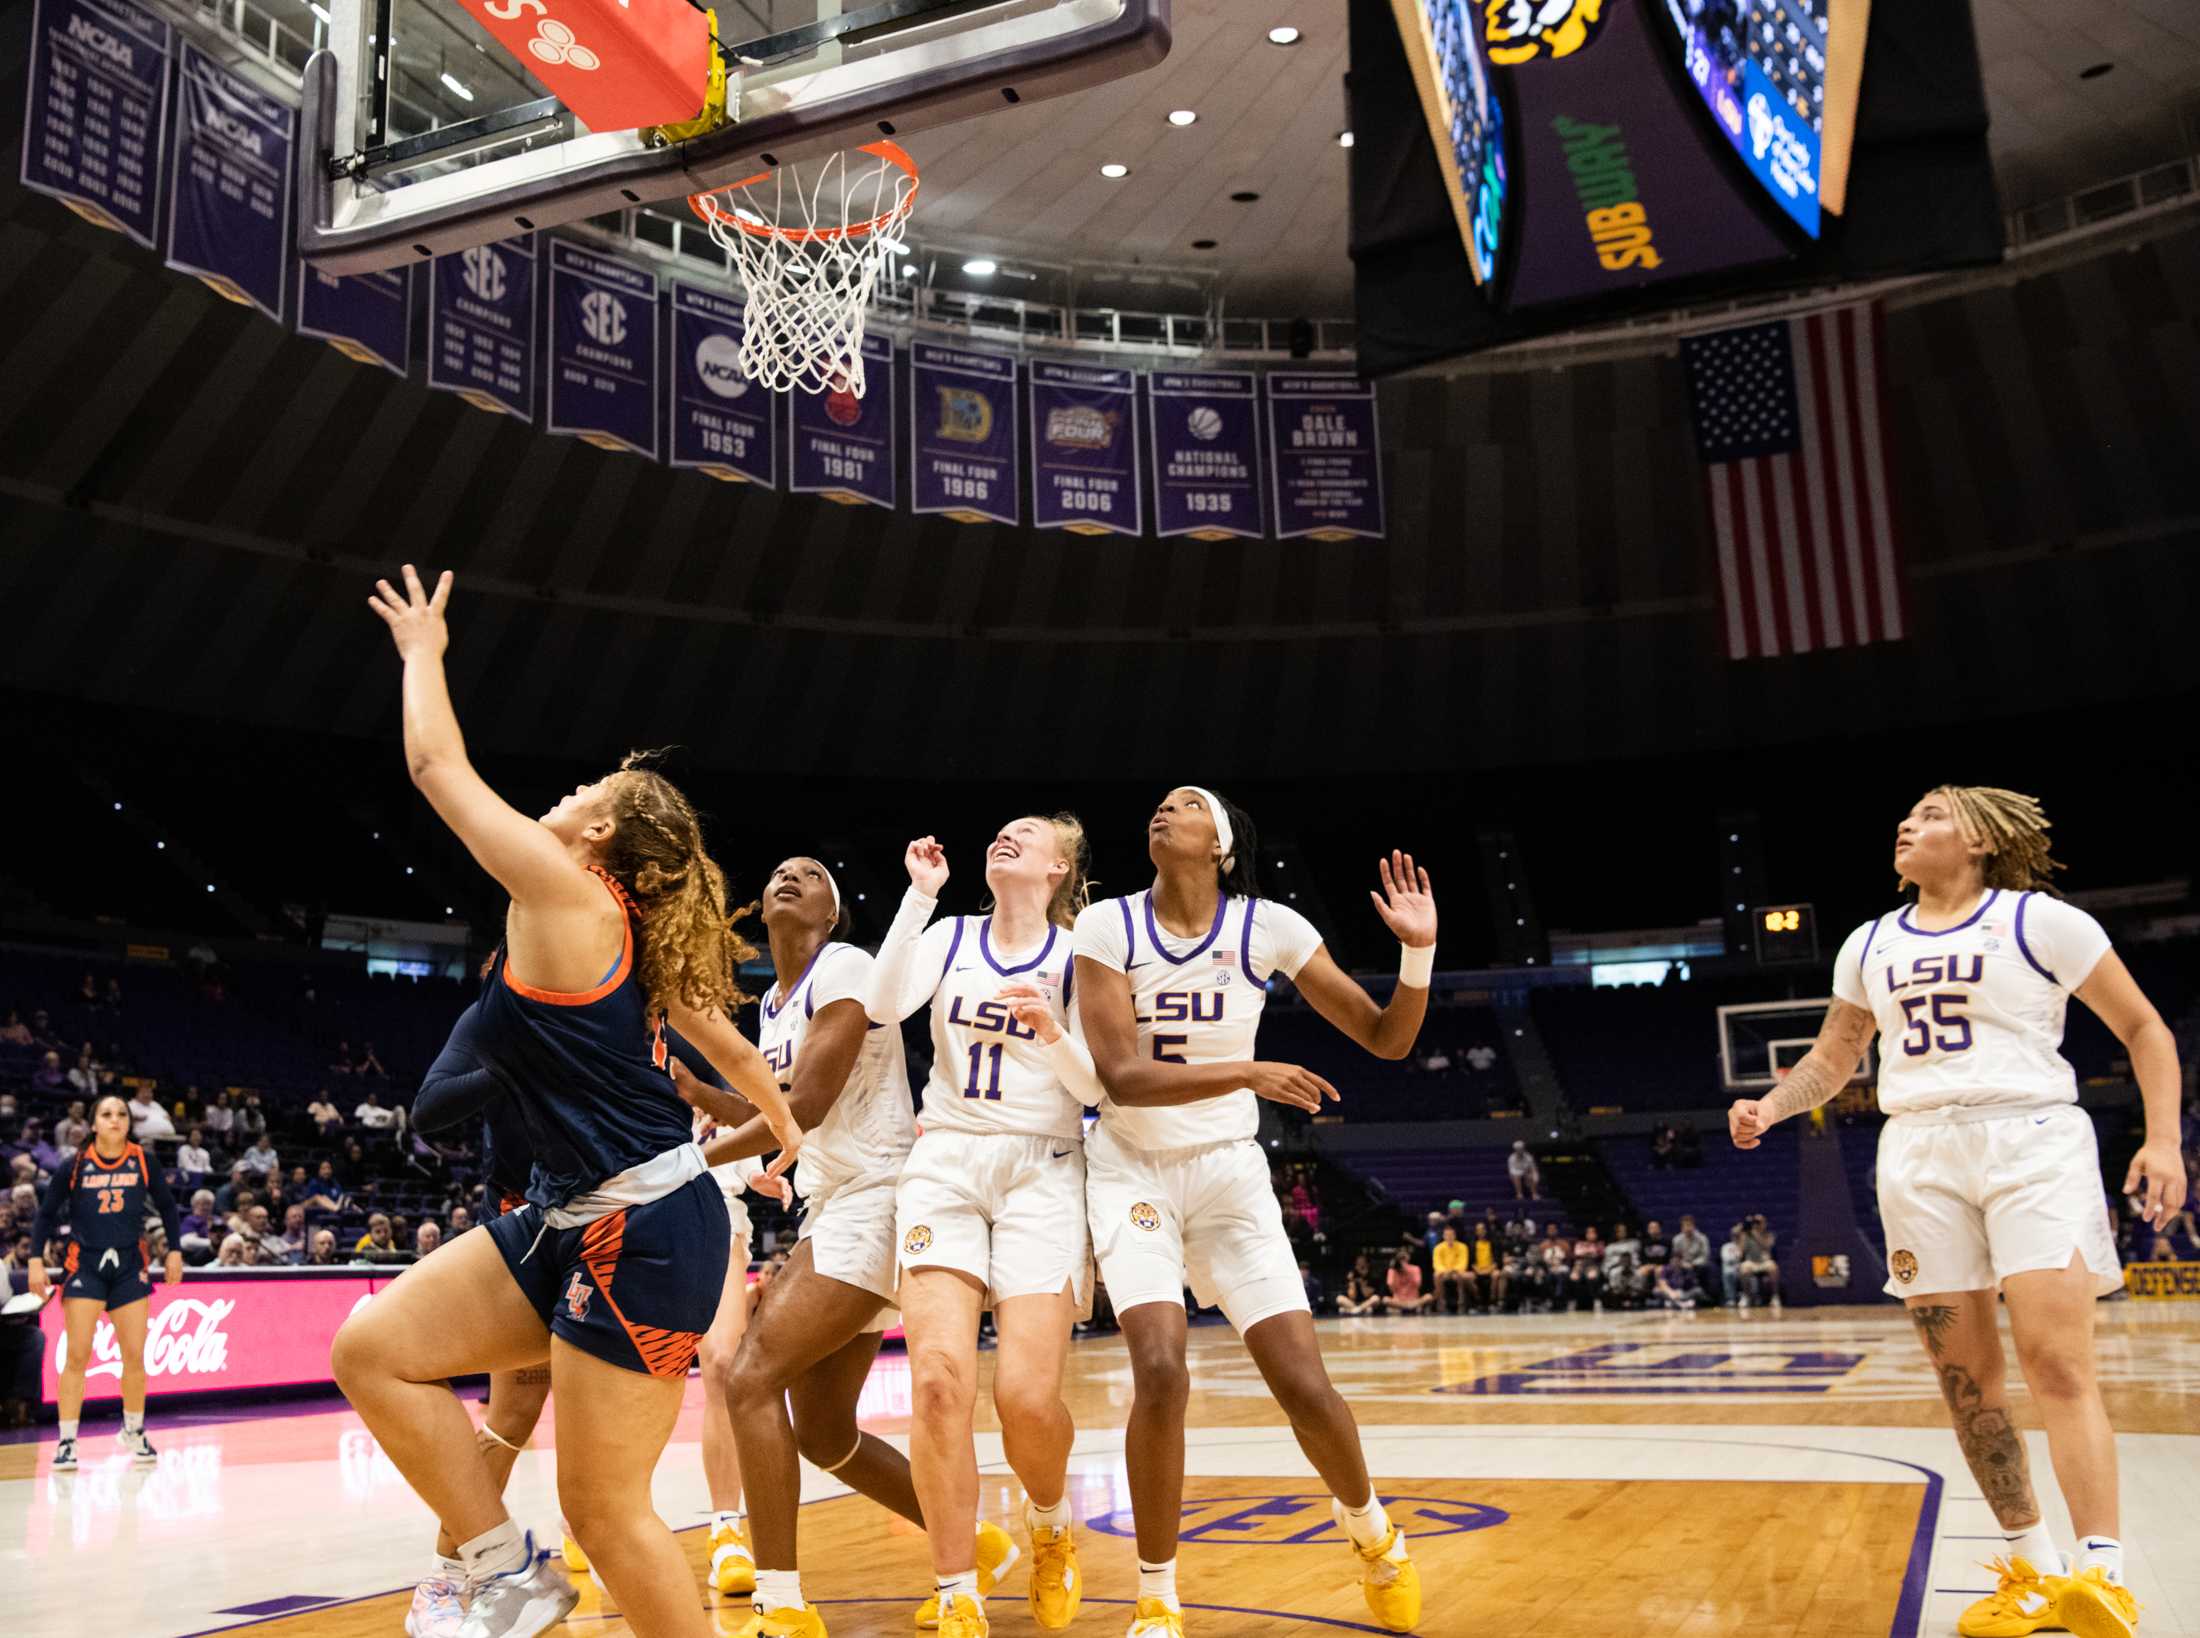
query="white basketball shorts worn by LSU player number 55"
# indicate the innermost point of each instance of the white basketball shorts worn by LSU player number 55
(1968, 1202)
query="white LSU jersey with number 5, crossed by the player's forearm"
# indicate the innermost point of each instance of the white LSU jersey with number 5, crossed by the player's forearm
(1196, 1004)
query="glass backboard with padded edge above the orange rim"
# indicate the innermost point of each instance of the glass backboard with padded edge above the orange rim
(423, 135)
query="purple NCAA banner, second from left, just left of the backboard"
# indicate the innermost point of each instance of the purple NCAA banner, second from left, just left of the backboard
(230, 210)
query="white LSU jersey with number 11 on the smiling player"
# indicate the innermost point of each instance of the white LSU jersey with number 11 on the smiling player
(991, 1074)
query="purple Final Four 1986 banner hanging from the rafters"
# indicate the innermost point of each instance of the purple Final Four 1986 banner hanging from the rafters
(962, 434)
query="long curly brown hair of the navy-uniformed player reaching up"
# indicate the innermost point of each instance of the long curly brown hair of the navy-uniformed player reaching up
(690, 944)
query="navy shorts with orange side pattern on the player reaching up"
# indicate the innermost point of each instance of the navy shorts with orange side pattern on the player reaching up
(639, 1287)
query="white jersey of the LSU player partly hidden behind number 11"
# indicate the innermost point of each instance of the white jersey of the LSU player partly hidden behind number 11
(872, 1125)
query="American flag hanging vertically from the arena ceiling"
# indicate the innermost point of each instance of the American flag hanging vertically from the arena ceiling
(1794, 450)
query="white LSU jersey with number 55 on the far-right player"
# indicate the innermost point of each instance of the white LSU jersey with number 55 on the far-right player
(1974, 1015)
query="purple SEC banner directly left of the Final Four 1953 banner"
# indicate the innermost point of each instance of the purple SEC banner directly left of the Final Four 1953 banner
(604, 351)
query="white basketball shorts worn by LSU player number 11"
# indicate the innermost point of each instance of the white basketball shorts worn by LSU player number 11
(1002, 1208)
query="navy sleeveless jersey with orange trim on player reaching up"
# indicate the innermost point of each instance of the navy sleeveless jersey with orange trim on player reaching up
(586, 1072)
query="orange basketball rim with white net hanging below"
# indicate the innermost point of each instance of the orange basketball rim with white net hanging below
(808, 261)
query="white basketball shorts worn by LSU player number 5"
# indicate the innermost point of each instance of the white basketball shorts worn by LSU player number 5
(1207, 1217)
